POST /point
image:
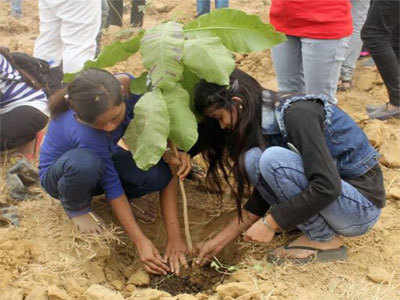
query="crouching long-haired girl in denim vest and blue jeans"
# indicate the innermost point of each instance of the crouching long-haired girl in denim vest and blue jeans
(311, 167)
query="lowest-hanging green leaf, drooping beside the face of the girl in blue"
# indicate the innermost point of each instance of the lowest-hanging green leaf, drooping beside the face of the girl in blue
(147, 133)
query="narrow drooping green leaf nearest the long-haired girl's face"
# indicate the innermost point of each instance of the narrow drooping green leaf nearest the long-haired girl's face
(183, 125)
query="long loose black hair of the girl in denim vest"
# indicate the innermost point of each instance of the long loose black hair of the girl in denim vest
(224, 150)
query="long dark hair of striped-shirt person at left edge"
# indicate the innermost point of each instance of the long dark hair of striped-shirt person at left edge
(34, 71)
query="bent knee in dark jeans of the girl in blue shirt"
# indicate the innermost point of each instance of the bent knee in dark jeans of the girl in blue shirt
(85, 166)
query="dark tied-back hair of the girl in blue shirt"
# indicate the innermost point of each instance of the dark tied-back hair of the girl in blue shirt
(90, 94)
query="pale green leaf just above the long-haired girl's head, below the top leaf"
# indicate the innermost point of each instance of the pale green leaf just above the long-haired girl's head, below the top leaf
(209, 59)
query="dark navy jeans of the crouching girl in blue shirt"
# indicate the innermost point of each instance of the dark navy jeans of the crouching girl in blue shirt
(75, 177)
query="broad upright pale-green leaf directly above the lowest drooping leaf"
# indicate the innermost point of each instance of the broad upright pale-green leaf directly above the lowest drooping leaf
(162, 51)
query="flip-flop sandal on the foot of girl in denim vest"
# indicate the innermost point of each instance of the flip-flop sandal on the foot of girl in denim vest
(320, 255)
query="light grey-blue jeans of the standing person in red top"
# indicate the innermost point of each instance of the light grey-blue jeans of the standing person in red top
(310, 66)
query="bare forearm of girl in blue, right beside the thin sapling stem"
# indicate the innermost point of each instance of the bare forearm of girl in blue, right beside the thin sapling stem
(169, 209)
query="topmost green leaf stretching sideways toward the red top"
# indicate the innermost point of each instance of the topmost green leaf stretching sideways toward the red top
(238, 31)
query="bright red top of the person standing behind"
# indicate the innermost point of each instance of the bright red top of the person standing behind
(318, 19)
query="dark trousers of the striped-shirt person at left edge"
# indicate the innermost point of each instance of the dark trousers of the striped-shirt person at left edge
(20, 126)
